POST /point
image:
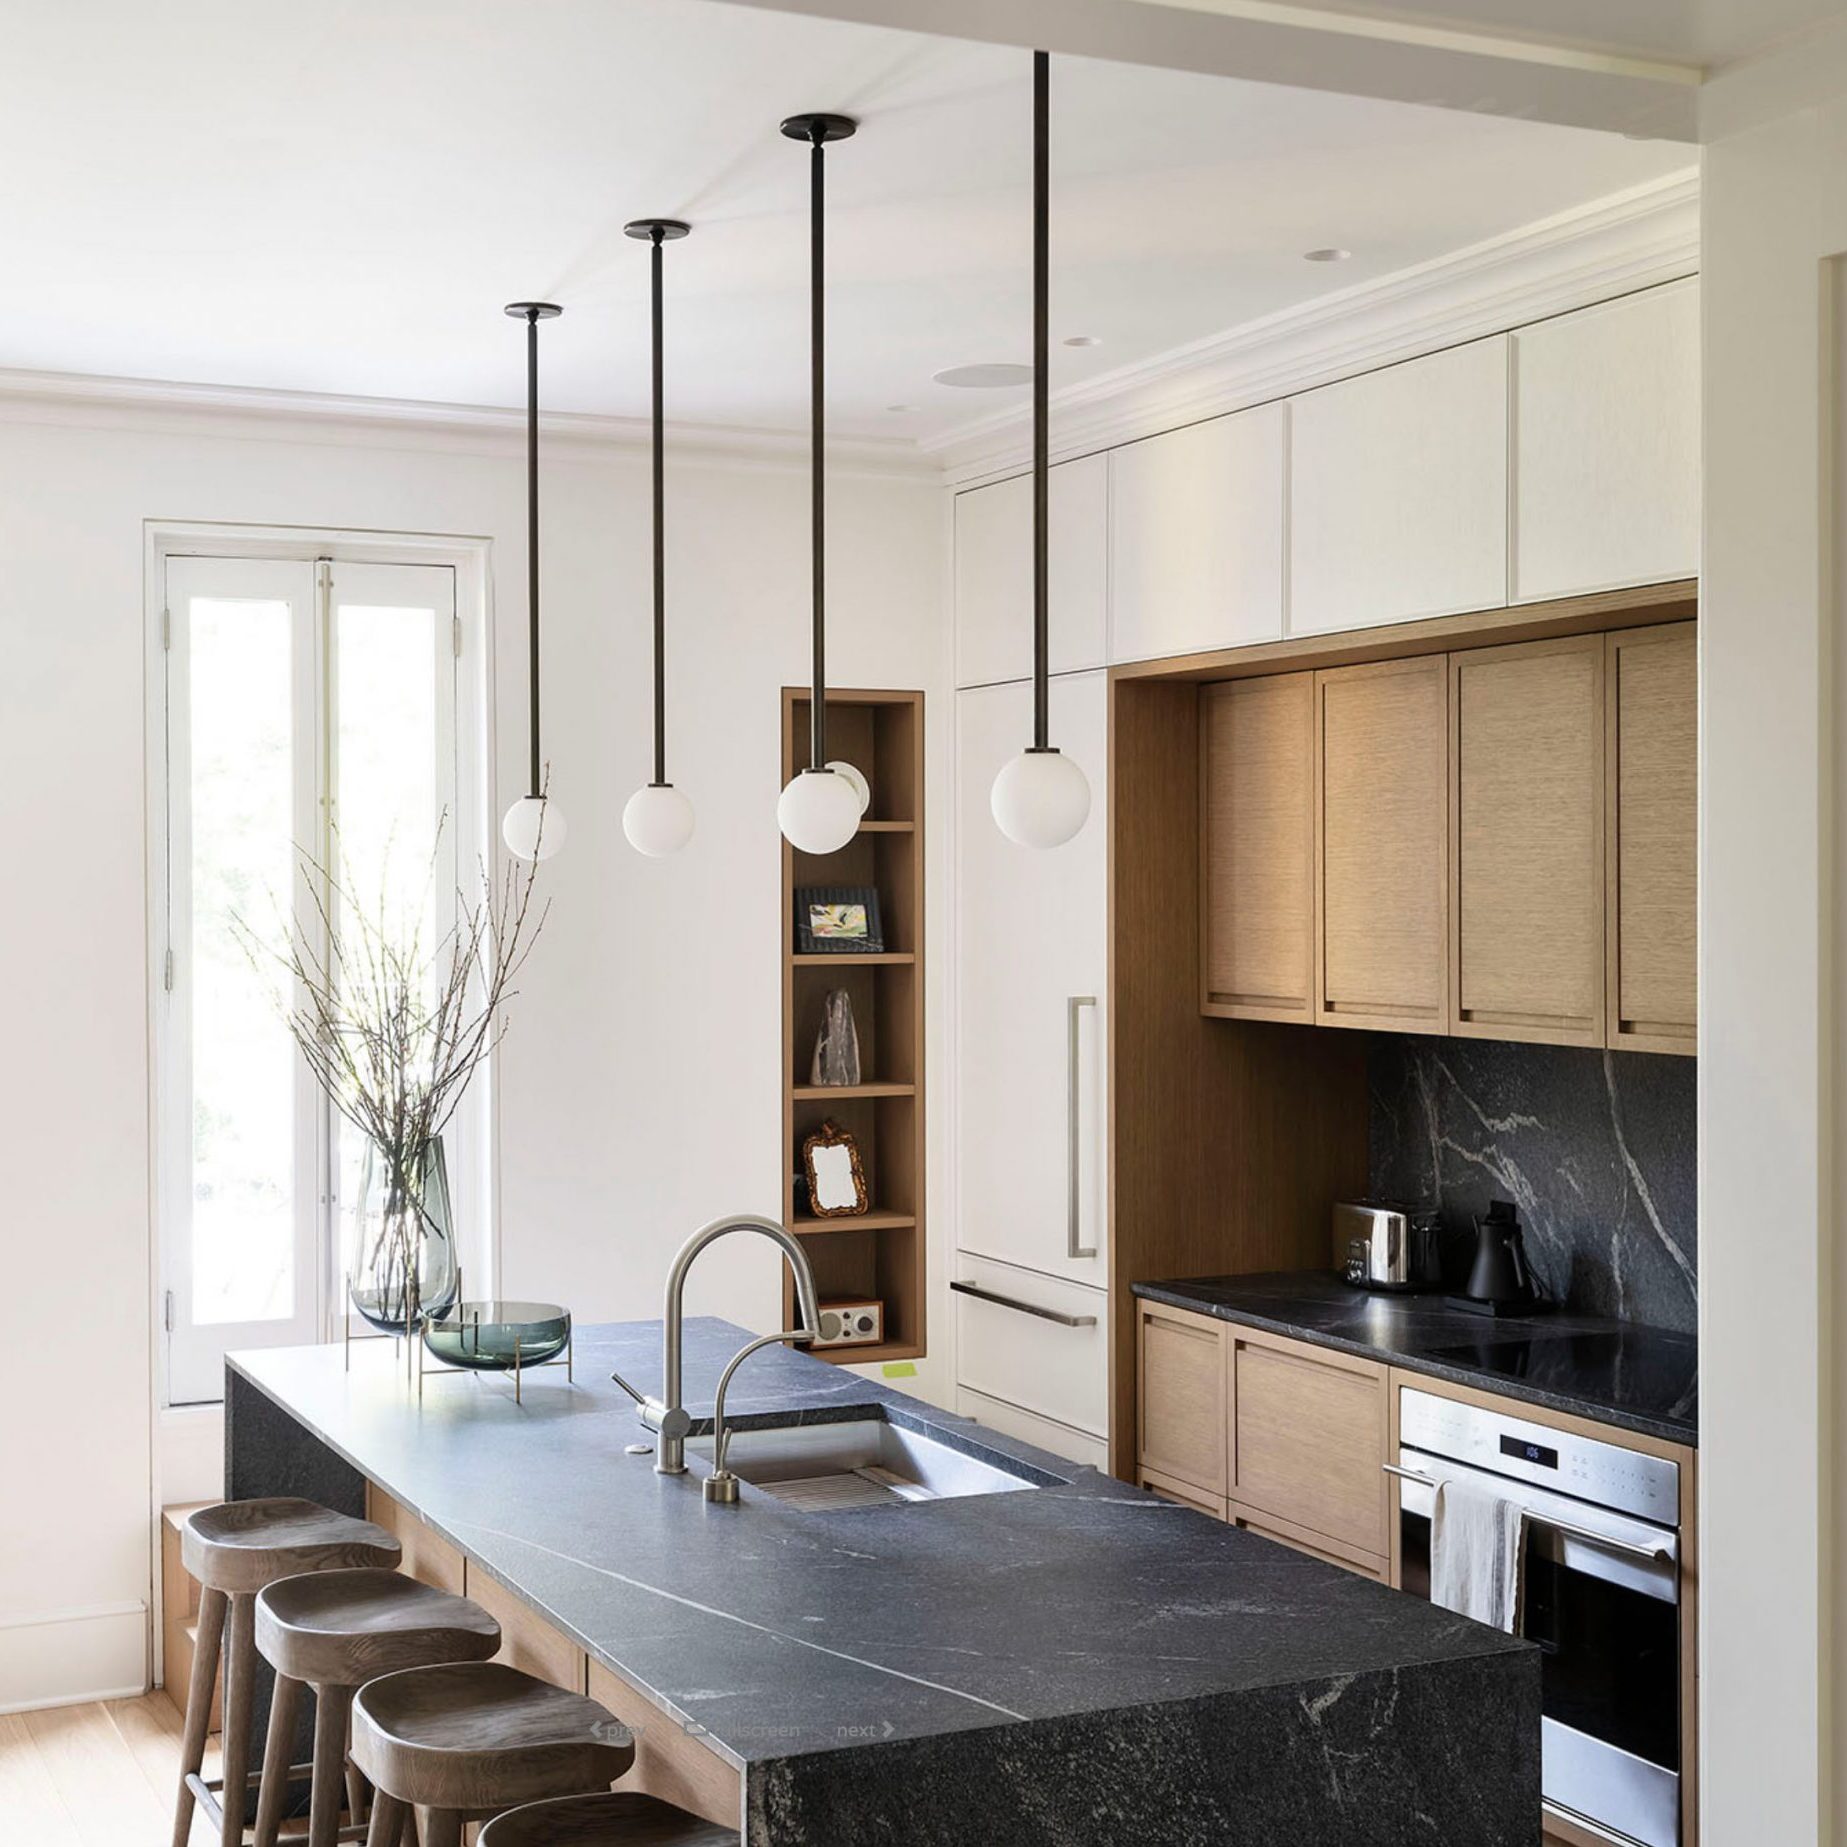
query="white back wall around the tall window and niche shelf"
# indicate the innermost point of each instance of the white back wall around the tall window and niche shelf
(640, 1083)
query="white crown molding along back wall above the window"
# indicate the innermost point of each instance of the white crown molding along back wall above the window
(261, 415)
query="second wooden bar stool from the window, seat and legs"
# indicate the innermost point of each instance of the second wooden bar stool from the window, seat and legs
(335, 1632)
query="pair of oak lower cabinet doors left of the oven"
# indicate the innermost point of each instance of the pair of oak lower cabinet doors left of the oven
(1277, 1436)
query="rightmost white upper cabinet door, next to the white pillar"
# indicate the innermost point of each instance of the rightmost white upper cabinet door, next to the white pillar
(1608, 446)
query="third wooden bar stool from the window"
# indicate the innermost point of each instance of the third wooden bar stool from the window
(465, 1743)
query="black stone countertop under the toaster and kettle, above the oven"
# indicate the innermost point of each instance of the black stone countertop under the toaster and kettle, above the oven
(1619, 1373)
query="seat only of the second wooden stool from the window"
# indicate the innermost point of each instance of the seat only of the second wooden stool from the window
(348, 1628)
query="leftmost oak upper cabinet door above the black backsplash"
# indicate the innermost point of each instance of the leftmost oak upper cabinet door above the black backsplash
(1257, 795)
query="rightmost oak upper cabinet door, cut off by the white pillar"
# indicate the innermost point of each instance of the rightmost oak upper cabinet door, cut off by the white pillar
(1652, 849)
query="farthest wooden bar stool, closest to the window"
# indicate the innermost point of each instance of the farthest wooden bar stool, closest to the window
(235, 1551)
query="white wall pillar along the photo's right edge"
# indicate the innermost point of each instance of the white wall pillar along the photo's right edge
(1776, 223)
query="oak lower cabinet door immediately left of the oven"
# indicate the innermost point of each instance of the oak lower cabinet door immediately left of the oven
(1309, 1447)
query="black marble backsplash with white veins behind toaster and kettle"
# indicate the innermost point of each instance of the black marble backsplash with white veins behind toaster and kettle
(1595, 1148)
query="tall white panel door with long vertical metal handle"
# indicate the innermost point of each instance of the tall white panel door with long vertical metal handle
(1032, 961)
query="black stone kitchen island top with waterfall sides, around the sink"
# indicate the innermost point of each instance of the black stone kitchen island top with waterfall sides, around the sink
(1068, 1663)
